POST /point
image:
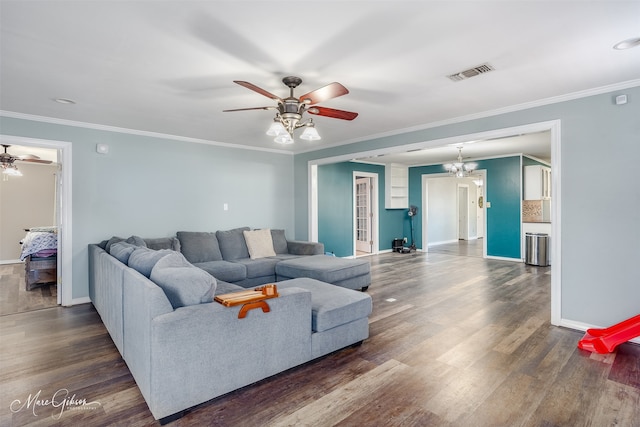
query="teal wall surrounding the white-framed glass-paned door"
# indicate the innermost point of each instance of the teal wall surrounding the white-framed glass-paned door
(335, 208)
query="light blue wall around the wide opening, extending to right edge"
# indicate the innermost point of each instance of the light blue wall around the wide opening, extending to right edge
(600, 145)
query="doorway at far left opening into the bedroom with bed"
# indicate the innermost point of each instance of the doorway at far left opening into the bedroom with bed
(38, 198)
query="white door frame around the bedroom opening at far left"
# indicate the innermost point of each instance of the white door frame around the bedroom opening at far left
(65, 249)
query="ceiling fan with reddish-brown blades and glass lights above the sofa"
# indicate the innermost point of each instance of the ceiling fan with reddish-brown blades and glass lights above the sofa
(290, 110)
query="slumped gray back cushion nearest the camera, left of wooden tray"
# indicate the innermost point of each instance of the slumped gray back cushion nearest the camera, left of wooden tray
(183, 283)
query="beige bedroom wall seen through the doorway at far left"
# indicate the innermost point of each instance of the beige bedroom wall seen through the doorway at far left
(27, 201)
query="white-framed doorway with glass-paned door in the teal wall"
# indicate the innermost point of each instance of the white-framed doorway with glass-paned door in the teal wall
(365, 213)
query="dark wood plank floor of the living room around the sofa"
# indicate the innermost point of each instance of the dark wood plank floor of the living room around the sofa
(454, 341)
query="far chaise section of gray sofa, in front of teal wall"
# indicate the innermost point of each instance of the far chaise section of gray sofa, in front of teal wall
(348, 273)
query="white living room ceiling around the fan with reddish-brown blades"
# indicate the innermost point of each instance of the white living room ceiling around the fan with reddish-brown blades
(168, 66)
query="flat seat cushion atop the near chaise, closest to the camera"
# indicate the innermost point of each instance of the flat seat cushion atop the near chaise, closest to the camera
(331, 305)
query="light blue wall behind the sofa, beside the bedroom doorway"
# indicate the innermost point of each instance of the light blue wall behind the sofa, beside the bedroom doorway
(153, 187)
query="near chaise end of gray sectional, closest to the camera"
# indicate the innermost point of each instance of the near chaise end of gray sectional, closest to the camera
(339, 316)
